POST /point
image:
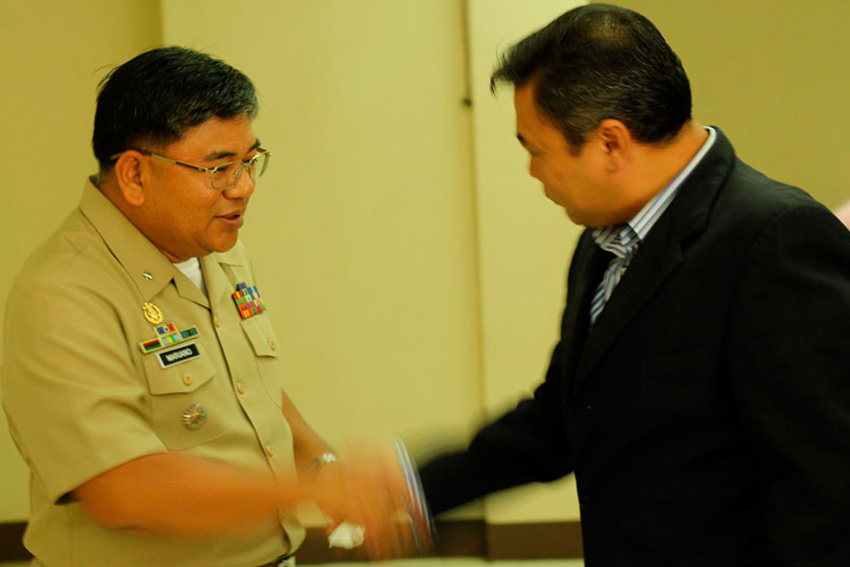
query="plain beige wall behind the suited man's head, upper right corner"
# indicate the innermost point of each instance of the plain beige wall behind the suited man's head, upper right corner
(774, 76)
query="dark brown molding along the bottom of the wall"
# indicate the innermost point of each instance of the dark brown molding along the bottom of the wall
(456, 538)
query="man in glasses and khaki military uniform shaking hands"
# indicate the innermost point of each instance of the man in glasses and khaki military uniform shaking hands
(141, 377)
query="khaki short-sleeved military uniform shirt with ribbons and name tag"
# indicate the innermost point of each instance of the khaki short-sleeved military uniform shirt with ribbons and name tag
(82, 396)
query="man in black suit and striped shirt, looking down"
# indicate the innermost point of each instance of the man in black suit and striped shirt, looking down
(700, 390)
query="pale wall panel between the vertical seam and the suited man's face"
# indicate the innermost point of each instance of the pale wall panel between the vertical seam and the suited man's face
(525, 242)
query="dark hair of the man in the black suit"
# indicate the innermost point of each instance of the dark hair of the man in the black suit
(597, 62)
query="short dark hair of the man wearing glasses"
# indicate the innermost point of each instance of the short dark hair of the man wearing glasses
(155, 97)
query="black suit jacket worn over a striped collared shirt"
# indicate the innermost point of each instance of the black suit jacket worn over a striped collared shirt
(706, 414)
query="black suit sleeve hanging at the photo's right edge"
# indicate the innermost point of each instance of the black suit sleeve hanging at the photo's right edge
(790, 363)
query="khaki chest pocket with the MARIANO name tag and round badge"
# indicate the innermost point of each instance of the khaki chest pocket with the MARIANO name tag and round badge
(184, 401)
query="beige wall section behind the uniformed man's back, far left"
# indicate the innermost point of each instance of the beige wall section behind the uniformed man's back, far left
(52, 56)
